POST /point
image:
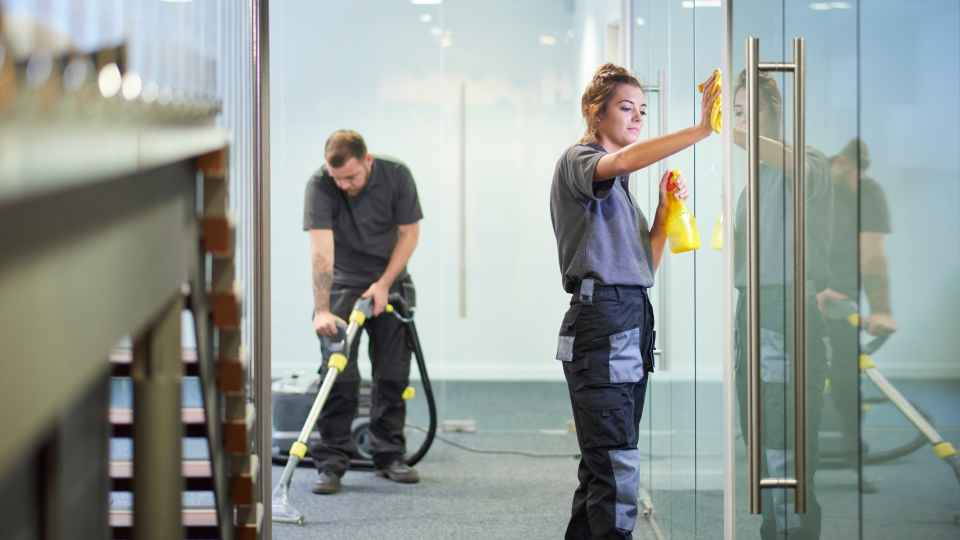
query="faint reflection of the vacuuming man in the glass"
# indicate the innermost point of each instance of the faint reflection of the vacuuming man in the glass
(841, 300)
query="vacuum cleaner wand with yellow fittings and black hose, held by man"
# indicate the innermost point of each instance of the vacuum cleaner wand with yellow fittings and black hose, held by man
(339, 346)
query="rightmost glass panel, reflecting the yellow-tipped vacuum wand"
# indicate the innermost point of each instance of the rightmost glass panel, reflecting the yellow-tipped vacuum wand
(908, 170)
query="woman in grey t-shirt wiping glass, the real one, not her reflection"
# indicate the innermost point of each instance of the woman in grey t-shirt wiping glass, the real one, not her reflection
(608, 257)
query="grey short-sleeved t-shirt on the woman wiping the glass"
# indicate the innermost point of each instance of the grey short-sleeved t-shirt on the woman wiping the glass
(601, 232)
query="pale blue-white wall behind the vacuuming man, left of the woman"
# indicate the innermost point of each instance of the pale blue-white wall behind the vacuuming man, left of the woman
(395, 79)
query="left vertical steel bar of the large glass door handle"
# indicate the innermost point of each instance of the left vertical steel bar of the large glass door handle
(753, 275)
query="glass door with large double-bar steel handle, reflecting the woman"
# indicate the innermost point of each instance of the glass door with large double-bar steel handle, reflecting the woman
(792, 87)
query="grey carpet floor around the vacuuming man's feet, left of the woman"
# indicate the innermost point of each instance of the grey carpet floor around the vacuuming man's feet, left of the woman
(461, 495)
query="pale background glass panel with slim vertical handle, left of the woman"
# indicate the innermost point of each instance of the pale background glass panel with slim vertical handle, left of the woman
(510, 107)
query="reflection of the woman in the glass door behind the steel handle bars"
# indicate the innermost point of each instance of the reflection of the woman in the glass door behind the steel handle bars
(776, 303)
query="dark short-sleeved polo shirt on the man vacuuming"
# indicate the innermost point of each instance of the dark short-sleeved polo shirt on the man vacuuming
(365, 227)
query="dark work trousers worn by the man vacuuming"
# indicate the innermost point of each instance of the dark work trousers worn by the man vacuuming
(390, 352)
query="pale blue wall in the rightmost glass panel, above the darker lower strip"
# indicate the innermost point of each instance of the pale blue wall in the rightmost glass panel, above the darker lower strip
(910, 113)
